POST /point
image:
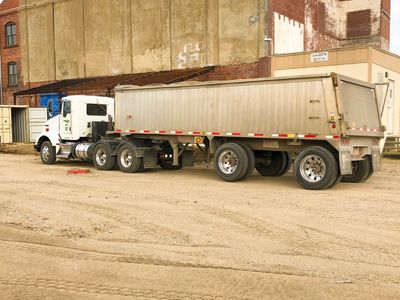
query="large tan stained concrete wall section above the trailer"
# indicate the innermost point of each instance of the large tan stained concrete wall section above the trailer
(83, 38)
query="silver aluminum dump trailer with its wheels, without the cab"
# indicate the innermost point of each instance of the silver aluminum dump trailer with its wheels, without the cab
(330, 123)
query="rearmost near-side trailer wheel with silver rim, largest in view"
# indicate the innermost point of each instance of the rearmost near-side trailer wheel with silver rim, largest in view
(316, 168)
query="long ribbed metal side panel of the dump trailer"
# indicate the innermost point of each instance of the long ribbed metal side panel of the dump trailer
(280, 106)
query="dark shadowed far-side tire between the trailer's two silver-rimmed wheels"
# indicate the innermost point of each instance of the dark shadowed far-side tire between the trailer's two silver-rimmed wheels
(279, 165)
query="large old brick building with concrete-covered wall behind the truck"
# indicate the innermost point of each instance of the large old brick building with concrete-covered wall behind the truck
(63, 40)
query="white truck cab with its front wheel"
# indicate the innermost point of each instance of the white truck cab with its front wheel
(78, 124)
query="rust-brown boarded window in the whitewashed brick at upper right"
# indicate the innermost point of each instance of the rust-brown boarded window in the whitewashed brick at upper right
(359, 23)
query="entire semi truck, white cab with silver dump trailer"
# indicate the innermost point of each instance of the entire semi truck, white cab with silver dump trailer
(328, 124)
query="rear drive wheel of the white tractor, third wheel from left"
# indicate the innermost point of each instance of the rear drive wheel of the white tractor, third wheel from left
(128, 162)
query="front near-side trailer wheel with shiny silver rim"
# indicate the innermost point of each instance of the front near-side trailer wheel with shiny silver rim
(231, 162)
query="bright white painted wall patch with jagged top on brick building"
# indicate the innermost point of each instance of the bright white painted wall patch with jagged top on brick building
(289, 35)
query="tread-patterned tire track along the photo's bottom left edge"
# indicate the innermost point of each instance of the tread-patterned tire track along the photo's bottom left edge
(91, 288)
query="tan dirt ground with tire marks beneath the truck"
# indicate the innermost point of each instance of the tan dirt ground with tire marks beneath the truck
(188, 235)
